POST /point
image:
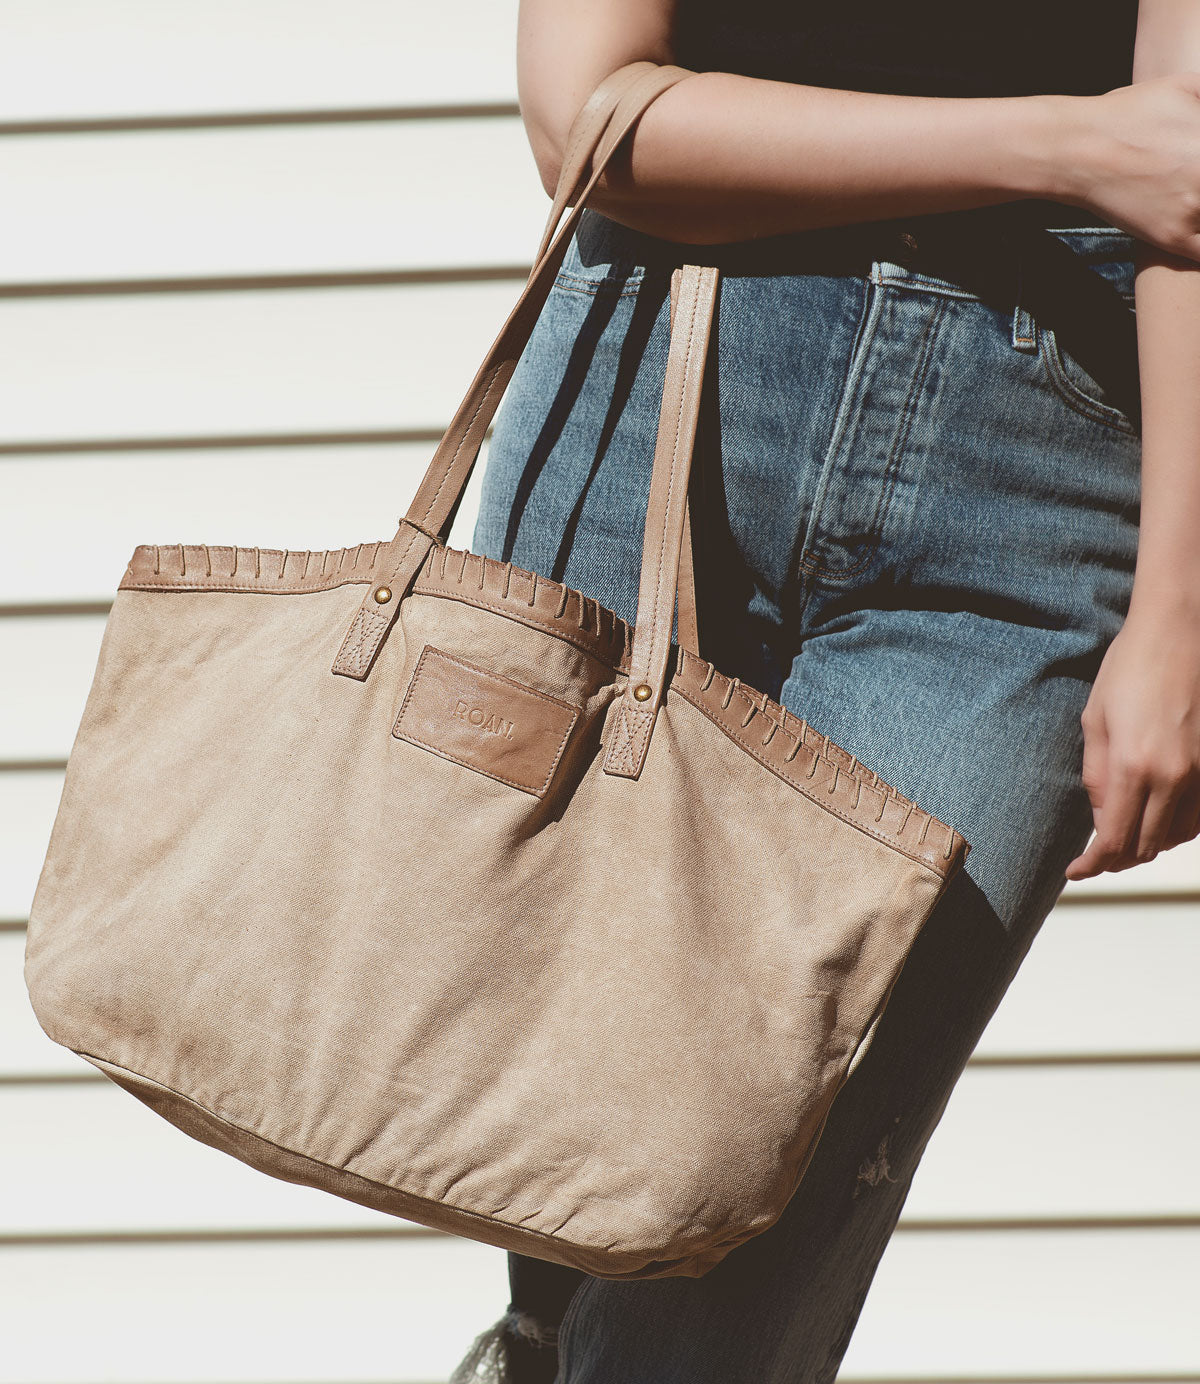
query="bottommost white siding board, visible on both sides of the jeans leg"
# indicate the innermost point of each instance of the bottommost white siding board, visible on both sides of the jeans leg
(1043, 1304)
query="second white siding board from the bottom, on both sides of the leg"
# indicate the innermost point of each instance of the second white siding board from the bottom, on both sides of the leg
(1012, 1145)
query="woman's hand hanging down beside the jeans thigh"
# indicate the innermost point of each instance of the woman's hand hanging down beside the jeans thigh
(1143, 743)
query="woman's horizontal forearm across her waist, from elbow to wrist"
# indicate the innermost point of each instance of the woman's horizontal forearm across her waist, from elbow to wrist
(723, 157)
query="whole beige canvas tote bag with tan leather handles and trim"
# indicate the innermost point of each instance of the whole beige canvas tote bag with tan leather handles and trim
(427, 881)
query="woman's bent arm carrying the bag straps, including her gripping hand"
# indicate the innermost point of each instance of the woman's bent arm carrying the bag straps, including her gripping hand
(725, 157)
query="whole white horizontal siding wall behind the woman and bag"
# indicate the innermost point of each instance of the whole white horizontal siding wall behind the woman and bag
(251, 254)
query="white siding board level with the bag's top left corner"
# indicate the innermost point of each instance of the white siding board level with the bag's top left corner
(70, 524)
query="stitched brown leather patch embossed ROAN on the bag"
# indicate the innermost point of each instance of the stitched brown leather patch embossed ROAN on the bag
(485, 722)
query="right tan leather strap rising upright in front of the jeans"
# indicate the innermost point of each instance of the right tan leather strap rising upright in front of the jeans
(632, 716)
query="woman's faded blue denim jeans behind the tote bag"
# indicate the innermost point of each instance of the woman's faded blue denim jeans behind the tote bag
(916, 520)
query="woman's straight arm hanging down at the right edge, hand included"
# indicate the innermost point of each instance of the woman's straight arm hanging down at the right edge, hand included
(1143, 723)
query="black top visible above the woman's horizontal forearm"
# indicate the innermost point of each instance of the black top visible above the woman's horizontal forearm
(916, 48)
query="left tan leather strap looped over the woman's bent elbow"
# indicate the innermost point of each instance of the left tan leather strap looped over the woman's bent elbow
(626, 95)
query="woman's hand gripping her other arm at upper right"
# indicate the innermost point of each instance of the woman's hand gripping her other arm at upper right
(1133, 156)
